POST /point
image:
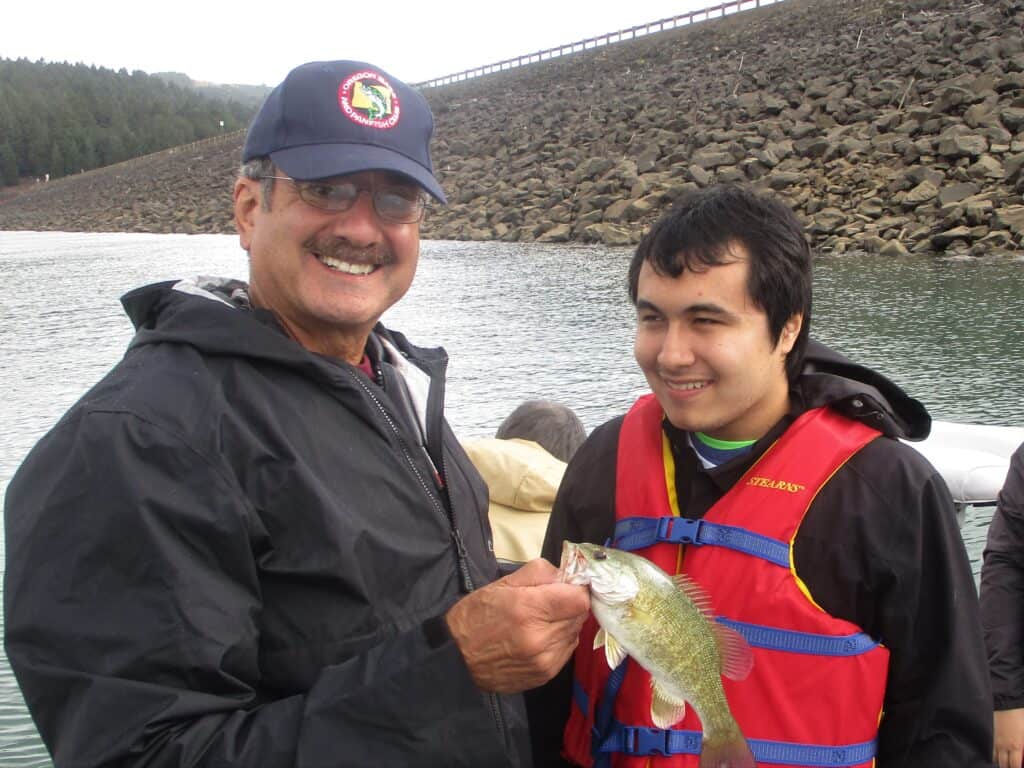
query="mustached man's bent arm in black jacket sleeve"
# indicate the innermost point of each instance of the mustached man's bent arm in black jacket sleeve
(133, 623)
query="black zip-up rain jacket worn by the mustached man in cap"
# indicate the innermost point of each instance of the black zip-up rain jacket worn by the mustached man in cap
(233, 552)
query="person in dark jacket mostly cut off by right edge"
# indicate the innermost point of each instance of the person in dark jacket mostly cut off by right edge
(1003, 615)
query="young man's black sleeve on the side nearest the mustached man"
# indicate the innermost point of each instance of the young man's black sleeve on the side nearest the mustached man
(584, 511)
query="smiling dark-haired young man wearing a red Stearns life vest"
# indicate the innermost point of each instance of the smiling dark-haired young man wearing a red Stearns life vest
(830, 545)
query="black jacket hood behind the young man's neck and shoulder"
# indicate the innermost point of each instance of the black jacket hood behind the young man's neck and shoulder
(861, 394)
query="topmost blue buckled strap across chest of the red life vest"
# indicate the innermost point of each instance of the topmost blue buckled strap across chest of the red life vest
(638, 533)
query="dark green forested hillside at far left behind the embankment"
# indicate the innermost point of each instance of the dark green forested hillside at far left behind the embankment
(61, 119)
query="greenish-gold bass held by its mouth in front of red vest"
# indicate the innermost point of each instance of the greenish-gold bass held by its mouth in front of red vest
(665, 624)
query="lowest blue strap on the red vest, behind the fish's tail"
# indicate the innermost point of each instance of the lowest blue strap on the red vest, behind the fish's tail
(641, 742)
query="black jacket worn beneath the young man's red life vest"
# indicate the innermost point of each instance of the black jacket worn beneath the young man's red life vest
(879, 547)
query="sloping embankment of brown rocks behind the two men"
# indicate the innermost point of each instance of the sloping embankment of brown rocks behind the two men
(891, 127)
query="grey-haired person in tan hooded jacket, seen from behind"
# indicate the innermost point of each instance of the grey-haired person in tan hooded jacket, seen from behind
(523, 465)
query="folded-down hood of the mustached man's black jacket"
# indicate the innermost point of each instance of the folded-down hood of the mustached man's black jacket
(215, 316)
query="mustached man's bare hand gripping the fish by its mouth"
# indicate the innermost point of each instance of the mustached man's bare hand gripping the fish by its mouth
(519, 632)
